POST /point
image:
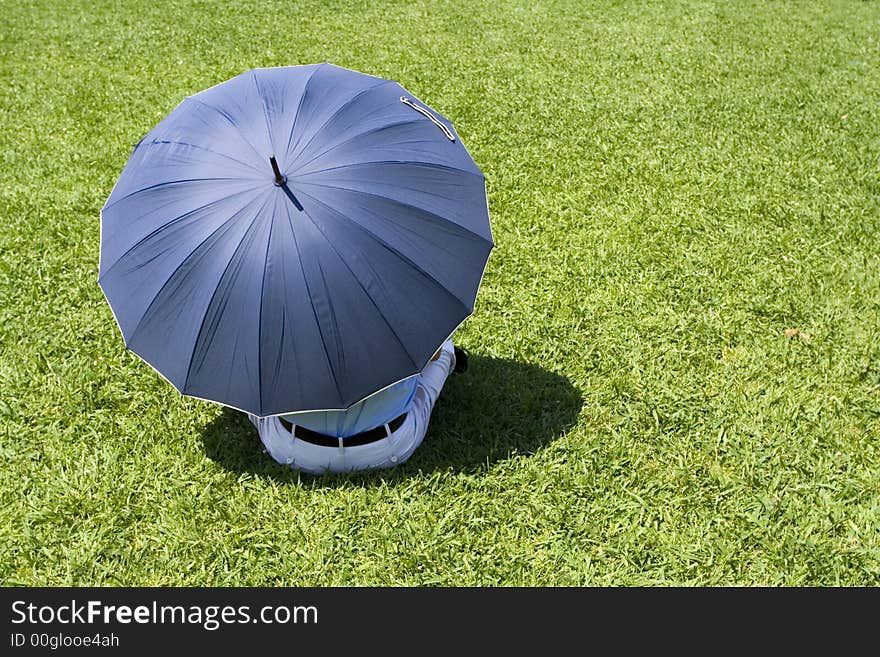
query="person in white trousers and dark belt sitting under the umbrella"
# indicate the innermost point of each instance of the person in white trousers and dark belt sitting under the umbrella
(380, 431)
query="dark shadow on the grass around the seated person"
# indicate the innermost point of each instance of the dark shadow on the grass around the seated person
(497, 409)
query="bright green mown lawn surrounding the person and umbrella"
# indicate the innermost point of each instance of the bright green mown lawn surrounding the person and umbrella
(673, 186)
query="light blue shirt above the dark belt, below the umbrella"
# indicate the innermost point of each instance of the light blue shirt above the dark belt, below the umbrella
(375, 410)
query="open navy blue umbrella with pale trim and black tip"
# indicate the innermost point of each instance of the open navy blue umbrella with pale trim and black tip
(293, 239)
